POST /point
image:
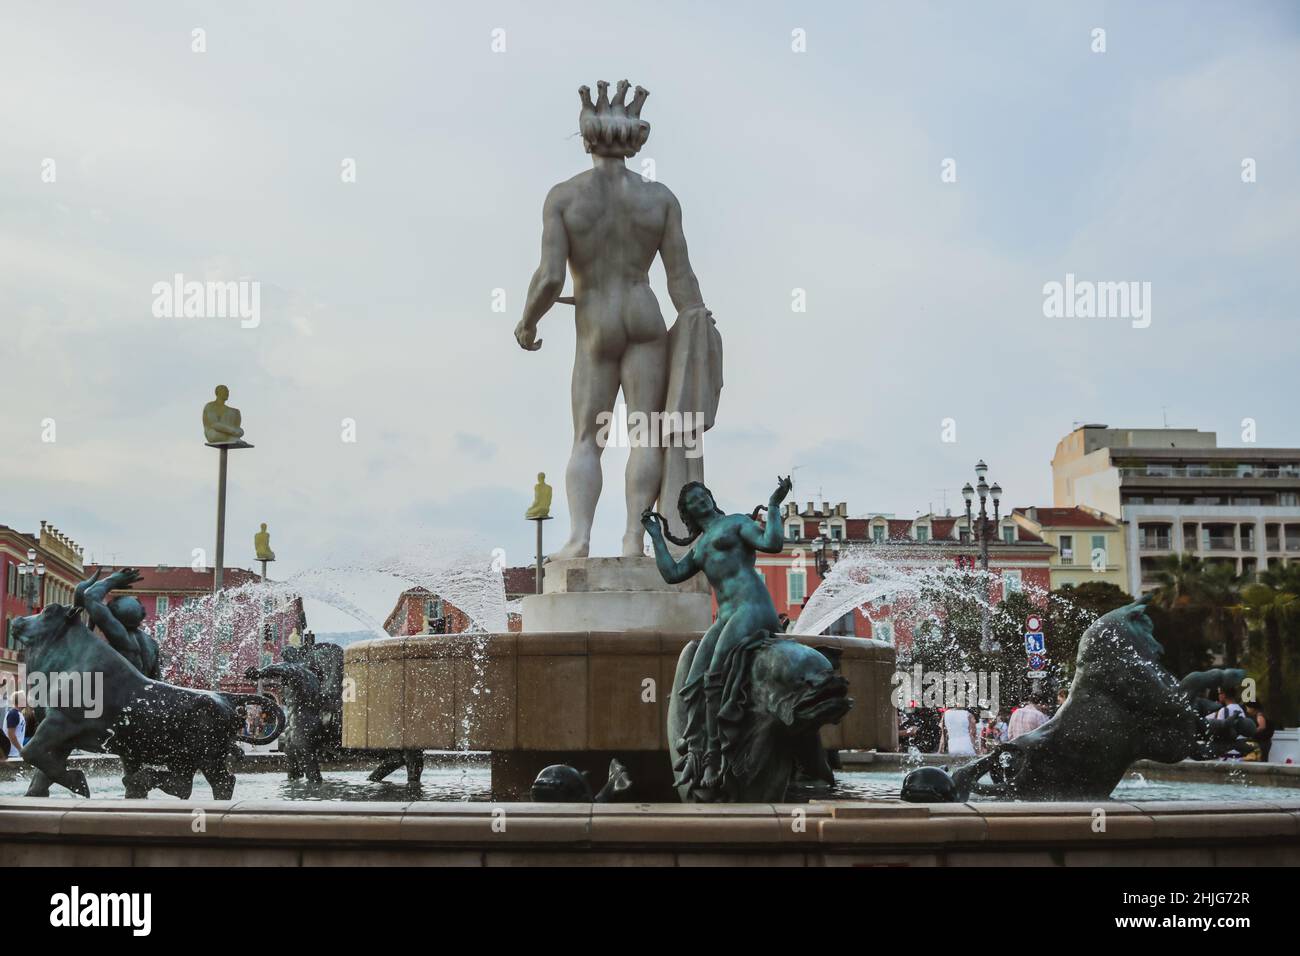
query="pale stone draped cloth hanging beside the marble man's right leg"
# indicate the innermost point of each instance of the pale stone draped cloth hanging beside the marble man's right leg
(695, 390)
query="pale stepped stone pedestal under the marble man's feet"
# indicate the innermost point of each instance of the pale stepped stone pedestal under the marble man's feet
(616, 595)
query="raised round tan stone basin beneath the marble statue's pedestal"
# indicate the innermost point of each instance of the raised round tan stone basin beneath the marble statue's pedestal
(564, 698)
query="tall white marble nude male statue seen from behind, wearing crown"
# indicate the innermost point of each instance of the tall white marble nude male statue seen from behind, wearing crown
(608, 224)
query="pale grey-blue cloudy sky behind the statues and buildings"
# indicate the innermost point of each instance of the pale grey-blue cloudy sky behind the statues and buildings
(818, 171)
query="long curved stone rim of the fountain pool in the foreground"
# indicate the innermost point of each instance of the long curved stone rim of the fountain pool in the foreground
(142, 833)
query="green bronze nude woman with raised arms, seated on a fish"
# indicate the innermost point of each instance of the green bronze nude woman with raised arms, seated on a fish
(725, 548)
